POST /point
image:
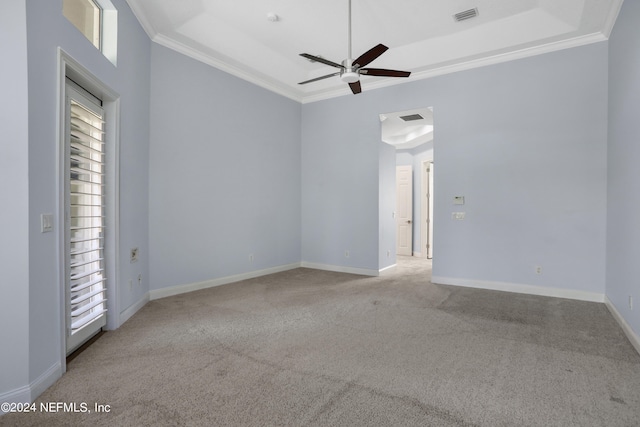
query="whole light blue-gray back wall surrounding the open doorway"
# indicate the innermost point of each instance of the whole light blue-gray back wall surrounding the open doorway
(524, 142)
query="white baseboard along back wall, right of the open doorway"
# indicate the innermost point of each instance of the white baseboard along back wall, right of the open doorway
(520, 288)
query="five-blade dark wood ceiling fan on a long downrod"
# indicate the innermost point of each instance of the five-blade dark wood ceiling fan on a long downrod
(350, 69)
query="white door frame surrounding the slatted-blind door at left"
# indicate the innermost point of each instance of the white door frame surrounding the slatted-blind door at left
(70, 68)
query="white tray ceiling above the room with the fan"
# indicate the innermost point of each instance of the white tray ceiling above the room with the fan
(237, 37)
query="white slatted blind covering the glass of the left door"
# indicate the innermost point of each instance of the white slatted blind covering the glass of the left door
(86, 281)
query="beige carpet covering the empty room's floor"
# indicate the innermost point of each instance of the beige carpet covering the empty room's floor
(314, 348)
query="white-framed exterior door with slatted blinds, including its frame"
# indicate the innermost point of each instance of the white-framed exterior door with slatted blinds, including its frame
(87, 207)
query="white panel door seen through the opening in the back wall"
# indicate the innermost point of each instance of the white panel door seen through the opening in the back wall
(404, 210)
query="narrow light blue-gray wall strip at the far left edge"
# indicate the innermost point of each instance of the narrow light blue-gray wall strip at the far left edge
(14, 196)
